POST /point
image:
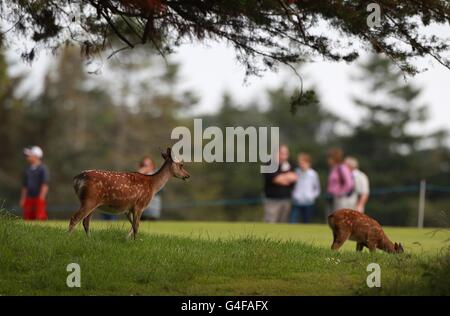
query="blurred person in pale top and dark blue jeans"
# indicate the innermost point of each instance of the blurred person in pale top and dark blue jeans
(306, 190)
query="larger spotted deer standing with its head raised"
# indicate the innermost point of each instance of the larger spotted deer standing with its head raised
(121, 192)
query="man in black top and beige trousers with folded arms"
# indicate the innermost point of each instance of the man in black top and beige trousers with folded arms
(278, 188)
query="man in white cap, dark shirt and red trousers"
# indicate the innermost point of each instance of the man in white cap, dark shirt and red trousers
(35, 186)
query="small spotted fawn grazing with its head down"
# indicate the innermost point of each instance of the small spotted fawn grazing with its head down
(356, 226)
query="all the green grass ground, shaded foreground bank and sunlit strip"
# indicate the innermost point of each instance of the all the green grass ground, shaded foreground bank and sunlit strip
(184, 258)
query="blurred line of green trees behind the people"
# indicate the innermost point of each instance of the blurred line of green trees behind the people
(87, 122)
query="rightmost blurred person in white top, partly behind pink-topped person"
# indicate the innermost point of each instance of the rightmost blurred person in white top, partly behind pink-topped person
(362, 187)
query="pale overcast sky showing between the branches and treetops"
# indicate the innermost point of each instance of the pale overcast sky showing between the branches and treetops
(211, 70)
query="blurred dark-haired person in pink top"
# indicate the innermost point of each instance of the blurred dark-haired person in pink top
(340, 181)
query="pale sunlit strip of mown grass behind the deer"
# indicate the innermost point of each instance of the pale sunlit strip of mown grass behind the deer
(429, 240)
